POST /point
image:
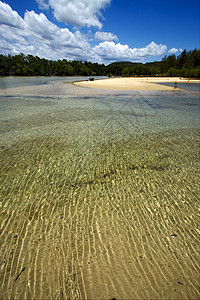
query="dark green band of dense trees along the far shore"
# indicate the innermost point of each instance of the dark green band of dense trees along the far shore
(187, 64)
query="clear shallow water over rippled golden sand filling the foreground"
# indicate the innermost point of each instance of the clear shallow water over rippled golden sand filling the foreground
(99, 194)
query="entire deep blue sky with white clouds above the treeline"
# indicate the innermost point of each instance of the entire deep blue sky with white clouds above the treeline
(99, 30)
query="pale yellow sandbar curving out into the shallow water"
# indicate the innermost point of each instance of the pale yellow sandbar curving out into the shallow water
(136, 83)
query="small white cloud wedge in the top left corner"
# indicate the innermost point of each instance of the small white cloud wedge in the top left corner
(9, 16)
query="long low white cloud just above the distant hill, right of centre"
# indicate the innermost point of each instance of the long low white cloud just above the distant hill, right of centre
(112, 51)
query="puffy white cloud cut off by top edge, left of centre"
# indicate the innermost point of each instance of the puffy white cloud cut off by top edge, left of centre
(76, 12)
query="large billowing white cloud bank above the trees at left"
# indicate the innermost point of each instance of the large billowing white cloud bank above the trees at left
(40, 37)
